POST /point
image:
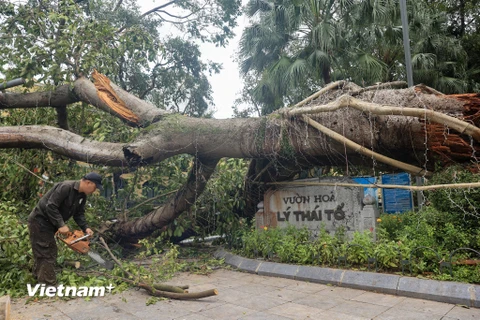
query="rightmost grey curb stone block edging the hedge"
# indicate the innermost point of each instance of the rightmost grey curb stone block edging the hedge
(444, 291)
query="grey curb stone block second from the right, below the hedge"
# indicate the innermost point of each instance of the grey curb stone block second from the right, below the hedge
(378, 282)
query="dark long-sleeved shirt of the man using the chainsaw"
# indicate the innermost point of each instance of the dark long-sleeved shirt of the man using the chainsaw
(60, 203)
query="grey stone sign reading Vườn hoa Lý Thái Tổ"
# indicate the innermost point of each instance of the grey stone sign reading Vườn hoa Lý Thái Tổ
(314, 206)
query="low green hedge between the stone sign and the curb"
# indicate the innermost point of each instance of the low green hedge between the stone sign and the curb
(411, 242)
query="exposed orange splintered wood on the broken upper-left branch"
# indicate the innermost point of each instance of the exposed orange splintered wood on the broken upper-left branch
(111, 99)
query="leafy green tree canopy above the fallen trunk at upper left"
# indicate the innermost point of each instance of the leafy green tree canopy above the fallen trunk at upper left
(56, 42)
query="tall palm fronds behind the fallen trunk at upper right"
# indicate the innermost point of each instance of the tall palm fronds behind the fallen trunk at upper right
(293, 48)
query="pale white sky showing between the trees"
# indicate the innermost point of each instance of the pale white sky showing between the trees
(227, 83)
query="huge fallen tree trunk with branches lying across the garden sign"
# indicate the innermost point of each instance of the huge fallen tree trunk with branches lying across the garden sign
(281, 140)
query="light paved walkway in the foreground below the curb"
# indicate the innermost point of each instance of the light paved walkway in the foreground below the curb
(247, 296)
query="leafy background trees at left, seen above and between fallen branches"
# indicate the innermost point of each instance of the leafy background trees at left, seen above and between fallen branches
(51, 43)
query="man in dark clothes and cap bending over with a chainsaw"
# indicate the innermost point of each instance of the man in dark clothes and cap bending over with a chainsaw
(64, 200)
